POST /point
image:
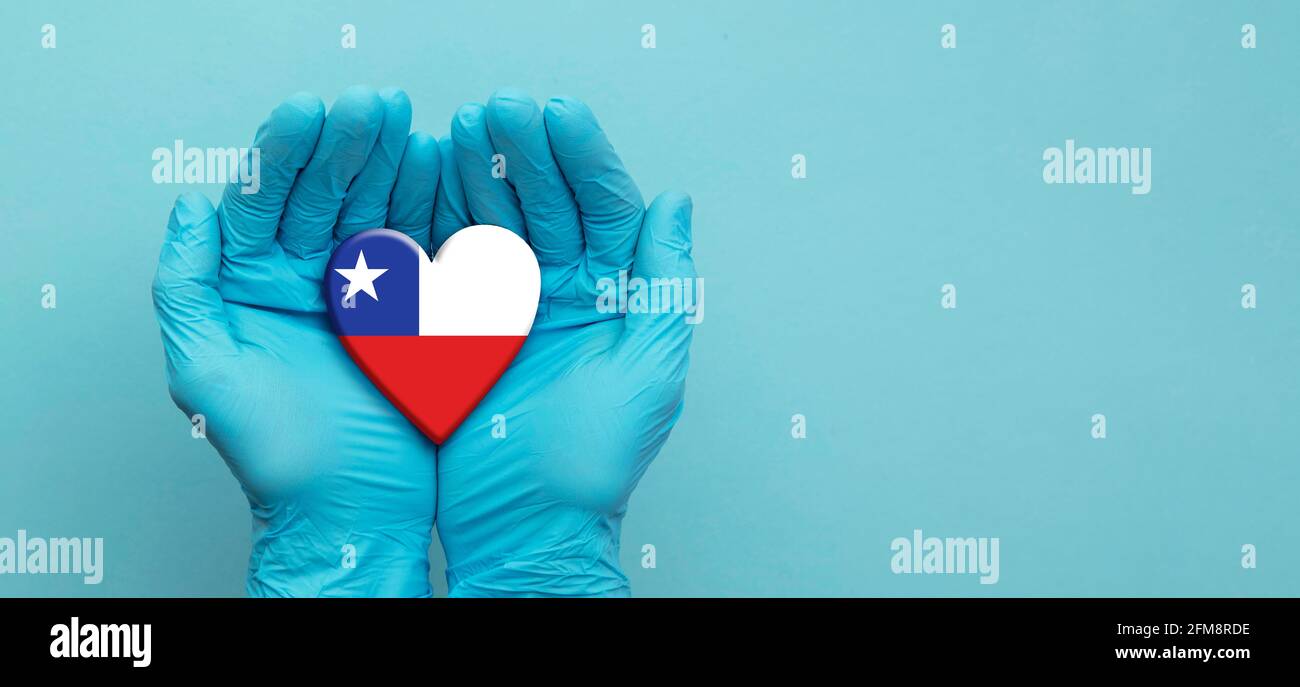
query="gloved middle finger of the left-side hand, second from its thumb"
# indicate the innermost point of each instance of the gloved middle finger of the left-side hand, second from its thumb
(350, 131)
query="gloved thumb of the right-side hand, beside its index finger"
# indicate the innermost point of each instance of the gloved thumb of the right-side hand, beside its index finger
(656, 327)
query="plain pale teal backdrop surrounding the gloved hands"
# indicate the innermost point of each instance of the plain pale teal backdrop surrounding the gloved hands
(925, 167)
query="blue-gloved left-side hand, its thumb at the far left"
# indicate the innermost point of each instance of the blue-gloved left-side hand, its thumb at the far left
(343, 489)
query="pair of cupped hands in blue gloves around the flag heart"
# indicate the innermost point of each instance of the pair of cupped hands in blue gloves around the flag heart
(344, 490)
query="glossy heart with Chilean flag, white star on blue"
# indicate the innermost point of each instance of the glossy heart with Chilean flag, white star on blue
(434, 336)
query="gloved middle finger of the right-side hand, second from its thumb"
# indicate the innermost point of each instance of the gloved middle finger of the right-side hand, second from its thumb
(518, 132)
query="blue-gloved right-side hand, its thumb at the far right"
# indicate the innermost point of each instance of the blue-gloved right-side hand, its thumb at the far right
(534, 487)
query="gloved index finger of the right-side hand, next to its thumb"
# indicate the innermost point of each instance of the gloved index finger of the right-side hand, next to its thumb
(608, 200)
